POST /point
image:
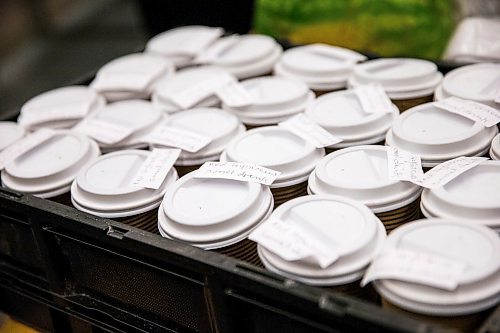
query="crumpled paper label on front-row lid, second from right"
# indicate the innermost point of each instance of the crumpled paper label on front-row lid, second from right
(292, 243)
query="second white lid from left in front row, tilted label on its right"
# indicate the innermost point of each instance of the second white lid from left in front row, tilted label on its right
(103, 187)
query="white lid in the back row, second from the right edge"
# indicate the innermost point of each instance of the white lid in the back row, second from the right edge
(402, 78)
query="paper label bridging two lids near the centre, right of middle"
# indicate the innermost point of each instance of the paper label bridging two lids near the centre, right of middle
(307, 129)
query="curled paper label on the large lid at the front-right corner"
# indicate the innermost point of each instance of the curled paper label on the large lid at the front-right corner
(417, 267)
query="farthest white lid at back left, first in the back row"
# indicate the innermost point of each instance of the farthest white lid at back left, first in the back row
(175, 42)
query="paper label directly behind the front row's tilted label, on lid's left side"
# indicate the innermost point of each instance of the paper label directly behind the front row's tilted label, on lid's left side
(179, 138)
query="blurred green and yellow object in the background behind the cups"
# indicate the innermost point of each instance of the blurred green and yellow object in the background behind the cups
(411, 28)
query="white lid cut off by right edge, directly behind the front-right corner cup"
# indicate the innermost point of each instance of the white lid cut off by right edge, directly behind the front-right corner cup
(474, 195)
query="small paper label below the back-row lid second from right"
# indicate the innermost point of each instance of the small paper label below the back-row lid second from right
(373, 99)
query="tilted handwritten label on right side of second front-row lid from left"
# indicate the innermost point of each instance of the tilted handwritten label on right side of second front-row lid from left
(155, 168)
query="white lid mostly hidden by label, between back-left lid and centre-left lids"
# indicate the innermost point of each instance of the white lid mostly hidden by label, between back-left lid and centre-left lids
(184, 79)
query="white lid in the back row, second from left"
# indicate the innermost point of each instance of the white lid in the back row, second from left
(243, 50)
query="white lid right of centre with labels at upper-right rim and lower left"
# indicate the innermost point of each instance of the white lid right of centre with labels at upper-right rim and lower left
(342, 115)
